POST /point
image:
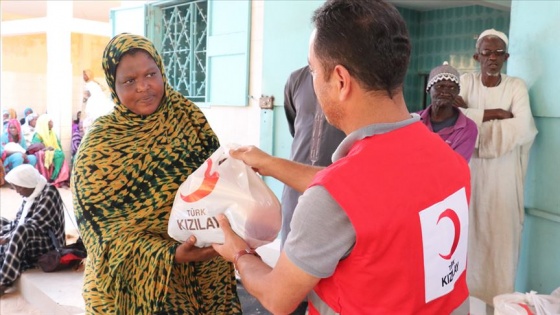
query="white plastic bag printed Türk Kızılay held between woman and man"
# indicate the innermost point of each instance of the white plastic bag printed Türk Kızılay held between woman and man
(225, 185)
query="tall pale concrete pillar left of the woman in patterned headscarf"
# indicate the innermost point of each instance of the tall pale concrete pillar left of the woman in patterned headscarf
(59, 70)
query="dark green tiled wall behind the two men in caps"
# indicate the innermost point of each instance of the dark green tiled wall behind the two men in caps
(445, 35)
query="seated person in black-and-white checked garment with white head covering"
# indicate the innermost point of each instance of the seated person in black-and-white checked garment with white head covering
(26, 238)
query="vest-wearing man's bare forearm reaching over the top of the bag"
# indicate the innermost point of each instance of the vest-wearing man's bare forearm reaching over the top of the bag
(296, 175)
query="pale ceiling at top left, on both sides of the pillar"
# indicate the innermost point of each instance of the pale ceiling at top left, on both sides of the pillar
(83, 9)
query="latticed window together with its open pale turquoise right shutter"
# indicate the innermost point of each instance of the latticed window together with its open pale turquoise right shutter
(205, 48)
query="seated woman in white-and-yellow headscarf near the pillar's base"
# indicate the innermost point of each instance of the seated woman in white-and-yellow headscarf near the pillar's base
(50, 160)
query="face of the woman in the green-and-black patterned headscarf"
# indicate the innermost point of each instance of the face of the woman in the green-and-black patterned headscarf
(139, 84)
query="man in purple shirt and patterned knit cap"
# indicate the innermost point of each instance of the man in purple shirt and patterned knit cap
(445, 119)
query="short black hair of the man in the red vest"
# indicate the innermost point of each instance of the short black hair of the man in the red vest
(367, 37)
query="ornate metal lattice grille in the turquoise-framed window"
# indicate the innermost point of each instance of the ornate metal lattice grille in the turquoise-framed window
(184, 47)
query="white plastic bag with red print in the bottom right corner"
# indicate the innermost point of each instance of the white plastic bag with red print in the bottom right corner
(527, 303)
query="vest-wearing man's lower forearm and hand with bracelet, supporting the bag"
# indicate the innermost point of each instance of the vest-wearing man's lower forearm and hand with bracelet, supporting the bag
(280, 290)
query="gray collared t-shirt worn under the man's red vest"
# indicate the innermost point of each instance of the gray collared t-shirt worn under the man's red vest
(321, 233)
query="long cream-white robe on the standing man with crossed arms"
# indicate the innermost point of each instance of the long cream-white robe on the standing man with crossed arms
(498, 168)
